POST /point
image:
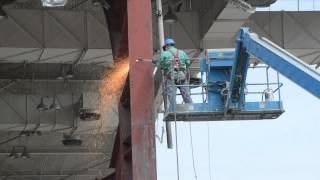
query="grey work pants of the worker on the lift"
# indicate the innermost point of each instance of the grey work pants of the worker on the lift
(171, 91)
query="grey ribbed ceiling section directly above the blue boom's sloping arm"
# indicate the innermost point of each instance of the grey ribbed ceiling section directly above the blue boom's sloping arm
(297, 32)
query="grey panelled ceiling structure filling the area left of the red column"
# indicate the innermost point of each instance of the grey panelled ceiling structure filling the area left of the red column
(36, 46)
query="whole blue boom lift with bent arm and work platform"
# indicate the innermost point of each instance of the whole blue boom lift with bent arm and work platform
(224, 84)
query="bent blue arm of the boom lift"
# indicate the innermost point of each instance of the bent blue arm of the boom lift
(288, 65)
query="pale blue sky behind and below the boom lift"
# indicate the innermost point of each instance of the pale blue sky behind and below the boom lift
(284, 148)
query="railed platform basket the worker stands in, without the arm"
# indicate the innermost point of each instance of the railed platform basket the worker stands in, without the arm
(269, 96)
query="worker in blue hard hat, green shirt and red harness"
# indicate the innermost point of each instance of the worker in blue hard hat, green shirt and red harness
(175, 64)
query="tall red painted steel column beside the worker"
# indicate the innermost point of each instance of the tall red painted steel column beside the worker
(141, 90)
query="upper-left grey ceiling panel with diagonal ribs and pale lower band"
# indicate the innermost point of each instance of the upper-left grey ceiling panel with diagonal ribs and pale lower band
(55, 36)
